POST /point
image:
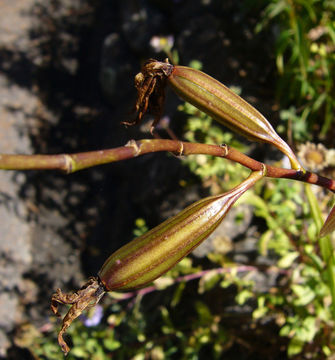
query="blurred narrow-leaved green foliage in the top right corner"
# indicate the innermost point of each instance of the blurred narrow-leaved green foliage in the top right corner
(305, 59)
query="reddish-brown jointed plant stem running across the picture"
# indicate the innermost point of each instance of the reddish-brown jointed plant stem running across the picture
(70, 163)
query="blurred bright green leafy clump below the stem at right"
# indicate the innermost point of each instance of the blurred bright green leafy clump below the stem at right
(303, 306)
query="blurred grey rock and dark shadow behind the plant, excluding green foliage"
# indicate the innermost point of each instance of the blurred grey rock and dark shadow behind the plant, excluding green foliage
(66, 83)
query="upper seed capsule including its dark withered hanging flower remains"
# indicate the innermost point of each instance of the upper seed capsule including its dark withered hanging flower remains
(208, 95)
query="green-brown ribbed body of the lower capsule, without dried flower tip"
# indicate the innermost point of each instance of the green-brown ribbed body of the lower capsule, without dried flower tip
(149, 256)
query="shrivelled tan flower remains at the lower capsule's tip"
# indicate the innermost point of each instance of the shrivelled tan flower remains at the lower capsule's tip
(83, 299)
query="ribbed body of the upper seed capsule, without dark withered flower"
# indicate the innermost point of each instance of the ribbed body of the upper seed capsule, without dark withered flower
(223, 105)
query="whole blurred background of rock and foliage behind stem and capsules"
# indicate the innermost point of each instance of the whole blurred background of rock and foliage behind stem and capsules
(261, 288)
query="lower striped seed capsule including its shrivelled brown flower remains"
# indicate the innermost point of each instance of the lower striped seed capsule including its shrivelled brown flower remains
(149, 256)
